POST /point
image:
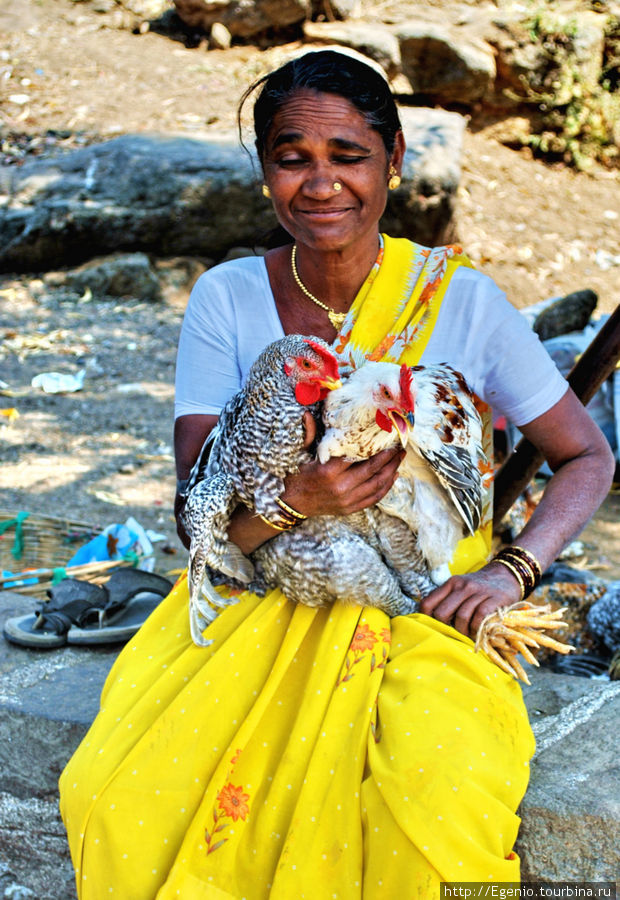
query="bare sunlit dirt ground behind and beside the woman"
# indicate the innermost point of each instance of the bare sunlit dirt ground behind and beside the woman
(105, 452)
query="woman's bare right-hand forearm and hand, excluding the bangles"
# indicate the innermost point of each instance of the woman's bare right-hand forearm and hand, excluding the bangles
(583, 466)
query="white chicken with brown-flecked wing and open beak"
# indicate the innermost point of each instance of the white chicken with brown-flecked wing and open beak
(438, 491)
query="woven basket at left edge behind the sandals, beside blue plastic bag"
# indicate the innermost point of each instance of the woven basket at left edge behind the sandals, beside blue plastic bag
(37, 547)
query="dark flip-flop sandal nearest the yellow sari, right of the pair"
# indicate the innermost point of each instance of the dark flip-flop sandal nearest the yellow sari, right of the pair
(133, 594)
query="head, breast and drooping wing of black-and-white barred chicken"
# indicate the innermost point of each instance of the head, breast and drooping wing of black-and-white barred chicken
(259, 439)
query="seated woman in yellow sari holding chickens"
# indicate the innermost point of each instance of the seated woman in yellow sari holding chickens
(331, 752)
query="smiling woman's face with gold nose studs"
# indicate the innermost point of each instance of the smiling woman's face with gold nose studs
(317, 140)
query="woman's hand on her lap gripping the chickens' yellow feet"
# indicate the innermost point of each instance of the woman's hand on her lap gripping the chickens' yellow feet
(463, 601)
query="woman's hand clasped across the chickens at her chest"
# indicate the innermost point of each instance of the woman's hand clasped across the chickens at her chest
(339, 486)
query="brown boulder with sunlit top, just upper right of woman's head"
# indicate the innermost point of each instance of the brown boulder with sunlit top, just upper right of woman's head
(445, 63)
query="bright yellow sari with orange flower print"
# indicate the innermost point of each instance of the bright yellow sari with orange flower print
(317, 753)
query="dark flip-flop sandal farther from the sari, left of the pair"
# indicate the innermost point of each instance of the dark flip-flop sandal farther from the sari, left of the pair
(71, 602)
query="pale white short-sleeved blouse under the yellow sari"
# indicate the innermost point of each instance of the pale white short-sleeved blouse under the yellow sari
(231, 316)
